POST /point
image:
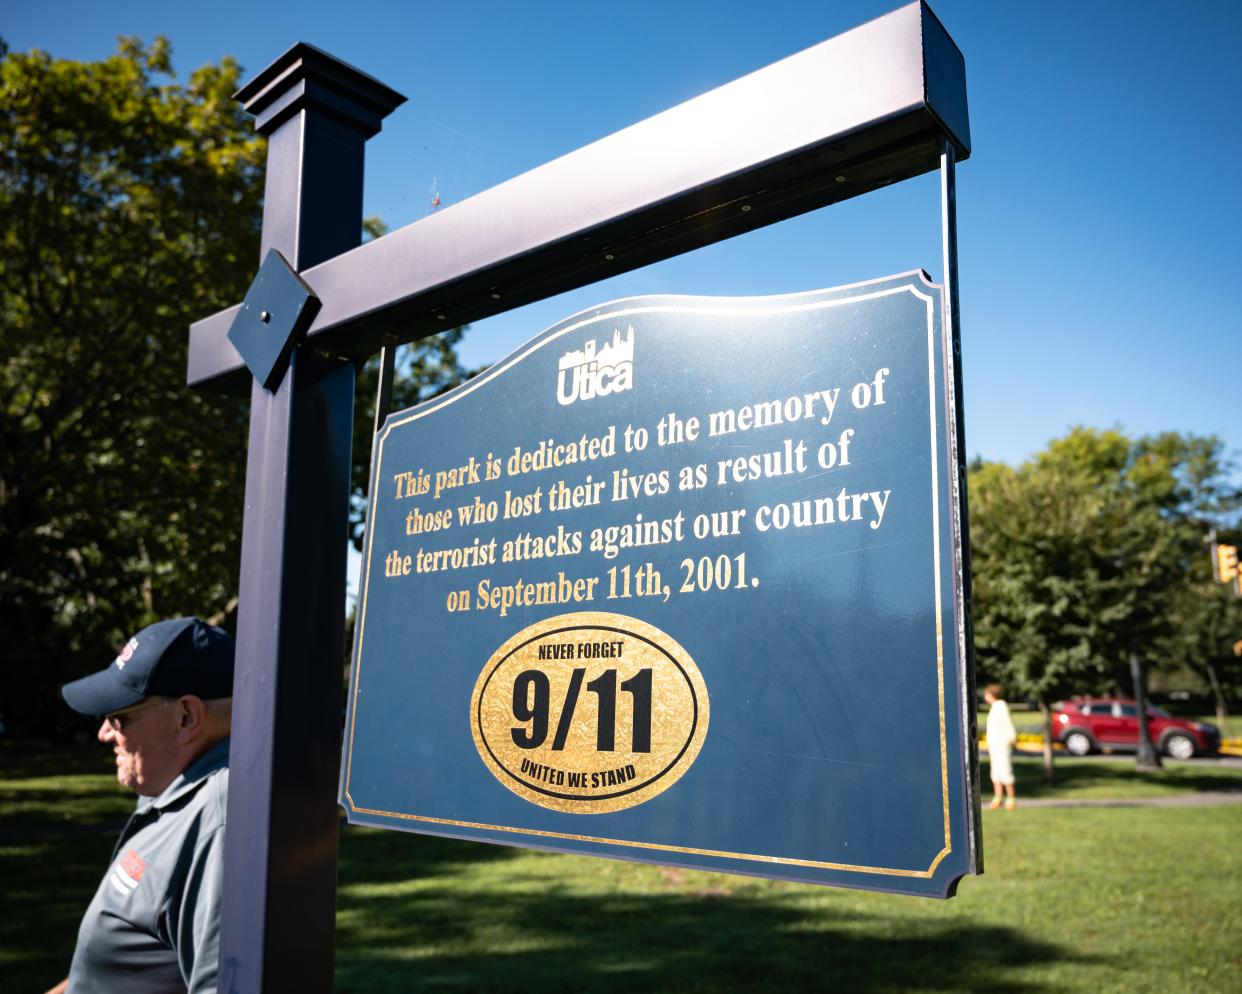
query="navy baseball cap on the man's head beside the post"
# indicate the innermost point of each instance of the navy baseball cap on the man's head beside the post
(168, 659)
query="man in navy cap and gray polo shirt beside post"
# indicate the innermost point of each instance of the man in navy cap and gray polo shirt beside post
(166, 706)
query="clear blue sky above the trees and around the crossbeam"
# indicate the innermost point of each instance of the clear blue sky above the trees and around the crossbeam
(1095, 216)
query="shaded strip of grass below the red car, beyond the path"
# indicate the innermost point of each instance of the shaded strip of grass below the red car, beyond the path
(1113, 778)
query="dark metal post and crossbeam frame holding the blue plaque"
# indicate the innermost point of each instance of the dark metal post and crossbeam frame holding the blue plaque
(884, 103)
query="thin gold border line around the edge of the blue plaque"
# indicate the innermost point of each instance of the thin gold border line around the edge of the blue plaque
(605, 315)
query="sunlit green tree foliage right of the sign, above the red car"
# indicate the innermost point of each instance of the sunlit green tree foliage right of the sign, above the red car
(1095, 550)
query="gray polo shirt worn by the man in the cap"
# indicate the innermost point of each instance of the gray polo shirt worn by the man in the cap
(155, 924)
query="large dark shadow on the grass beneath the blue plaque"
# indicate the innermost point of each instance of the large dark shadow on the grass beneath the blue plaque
(551, 937)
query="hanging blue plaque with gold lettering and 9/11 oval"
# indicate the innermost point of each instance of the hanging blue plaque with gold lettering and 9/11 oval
(680, 582)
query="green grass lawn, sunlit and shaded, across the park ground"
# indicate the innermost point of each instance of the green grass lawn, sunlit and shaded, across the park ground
(1074, 900)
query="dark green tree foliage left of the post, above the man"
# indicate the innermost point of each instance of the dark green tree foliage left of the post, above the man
(131, 207)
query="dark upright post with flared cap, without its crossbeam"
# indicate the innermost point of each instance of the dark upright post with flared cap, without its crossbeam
(281, 852)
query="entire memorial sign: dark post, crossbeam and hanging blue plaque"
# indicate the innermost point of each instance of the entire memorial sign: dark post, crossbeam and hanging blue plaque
(627, 593)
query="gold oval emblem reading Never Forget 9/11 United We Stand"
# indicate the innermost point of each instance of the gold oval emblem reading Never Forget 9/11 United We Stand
(589, 713)
